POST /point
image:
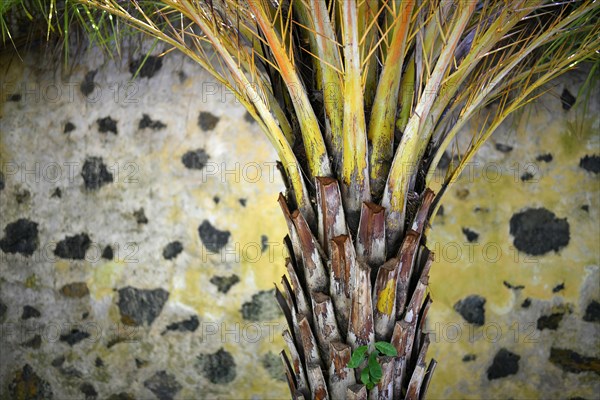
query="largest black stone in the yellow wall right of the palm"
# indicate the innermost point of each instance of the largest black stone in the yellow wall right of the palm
(538, 231)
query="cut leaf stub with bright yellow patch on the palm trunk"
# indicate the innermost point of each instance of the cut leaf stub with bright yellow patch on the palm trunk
(384, 299)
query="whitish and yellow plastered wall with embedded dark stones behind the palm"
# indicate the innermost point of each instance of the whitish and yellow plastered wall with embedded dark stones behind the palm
(140, 239)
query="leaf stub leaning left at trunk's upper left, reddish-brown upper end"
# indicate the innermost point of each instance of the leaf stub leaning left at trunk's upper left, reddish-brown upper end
(314, 270)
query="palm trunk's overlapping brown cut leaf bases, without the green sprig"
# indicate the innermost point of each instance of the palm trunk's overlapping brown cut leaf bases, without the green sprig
(344, 290)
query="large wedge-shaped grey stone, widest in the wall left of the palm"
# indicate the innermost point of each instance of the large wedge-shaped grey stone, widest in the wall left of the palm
(139, 306)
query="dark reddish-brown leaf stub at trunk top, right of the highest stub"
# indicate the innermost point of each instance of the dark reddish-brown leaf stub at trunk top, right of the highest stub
(370, 239)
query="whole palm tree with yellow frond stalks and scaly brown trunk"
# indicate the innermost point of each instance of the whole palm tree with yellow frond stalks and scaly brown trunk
(361, 98)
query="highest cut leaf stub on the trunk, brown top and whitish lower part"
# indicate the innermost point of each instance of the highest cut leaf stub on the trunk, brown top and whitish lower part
(330, 212)
